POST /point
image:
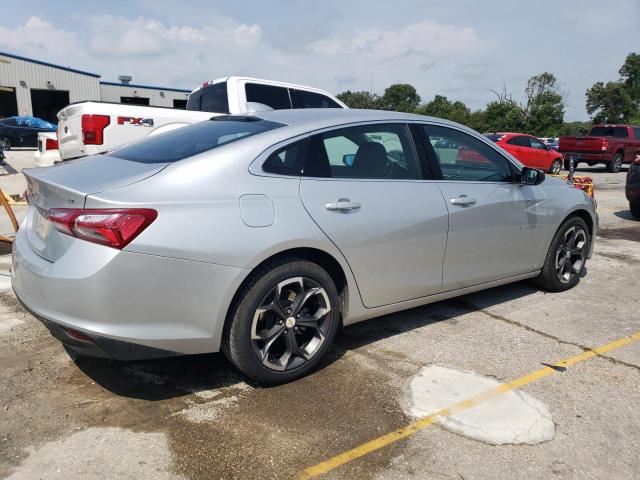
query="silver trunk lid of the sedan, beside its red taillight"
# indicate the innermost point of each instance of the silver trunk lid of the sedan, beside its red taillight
(67, 185)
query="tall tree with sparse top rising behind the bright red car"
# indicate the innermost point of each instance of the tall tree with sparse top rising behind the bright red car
(544, 111)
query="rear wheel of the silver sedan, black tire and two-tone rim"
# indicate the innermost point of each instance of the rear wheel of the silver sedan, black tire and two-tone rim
(265, 338)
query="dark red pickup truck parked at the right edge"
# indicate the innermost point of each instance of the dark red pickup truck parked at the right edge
(612, 145)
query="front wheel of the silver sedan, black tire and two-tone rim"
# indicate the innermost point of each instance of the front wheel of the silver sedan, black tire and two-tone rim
(558, 275)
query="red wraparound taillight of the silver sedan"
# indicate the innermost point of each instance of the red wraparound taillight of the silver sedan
(111, 227)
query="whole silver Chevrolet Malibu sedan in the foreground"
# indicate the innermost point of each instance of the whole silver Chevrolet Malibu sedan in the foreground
(261, 235)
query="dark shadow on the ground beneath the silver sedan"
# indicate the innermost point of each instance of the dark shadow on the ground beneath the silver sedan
(178, 376)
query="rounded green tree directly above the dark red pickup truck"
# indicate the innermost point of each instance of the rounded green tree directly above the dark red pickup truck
(610, 103)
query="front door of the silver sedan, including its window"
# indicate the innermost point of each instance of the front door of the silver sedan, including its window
(495, 223)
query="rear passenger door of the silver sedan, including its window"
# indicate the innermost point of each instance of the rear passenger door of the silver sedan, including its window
(364, 188)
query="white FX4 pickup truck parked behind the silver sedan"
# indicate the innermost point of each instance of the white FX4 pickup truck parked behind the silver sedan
(89, 128)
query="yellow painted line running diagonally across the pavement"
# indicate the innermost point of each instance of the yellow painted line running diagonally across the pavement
(422, 423)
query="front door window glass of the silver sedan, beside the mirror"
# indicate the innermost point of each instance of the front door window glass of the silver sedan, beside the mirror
(465, 158)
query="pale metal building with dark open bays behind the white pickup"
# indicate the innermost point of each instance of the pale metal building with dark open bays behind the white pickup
(41, 89)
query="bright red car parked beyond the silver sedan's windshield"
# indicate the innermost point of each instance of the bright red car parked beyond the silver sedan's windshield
(531, 151)
